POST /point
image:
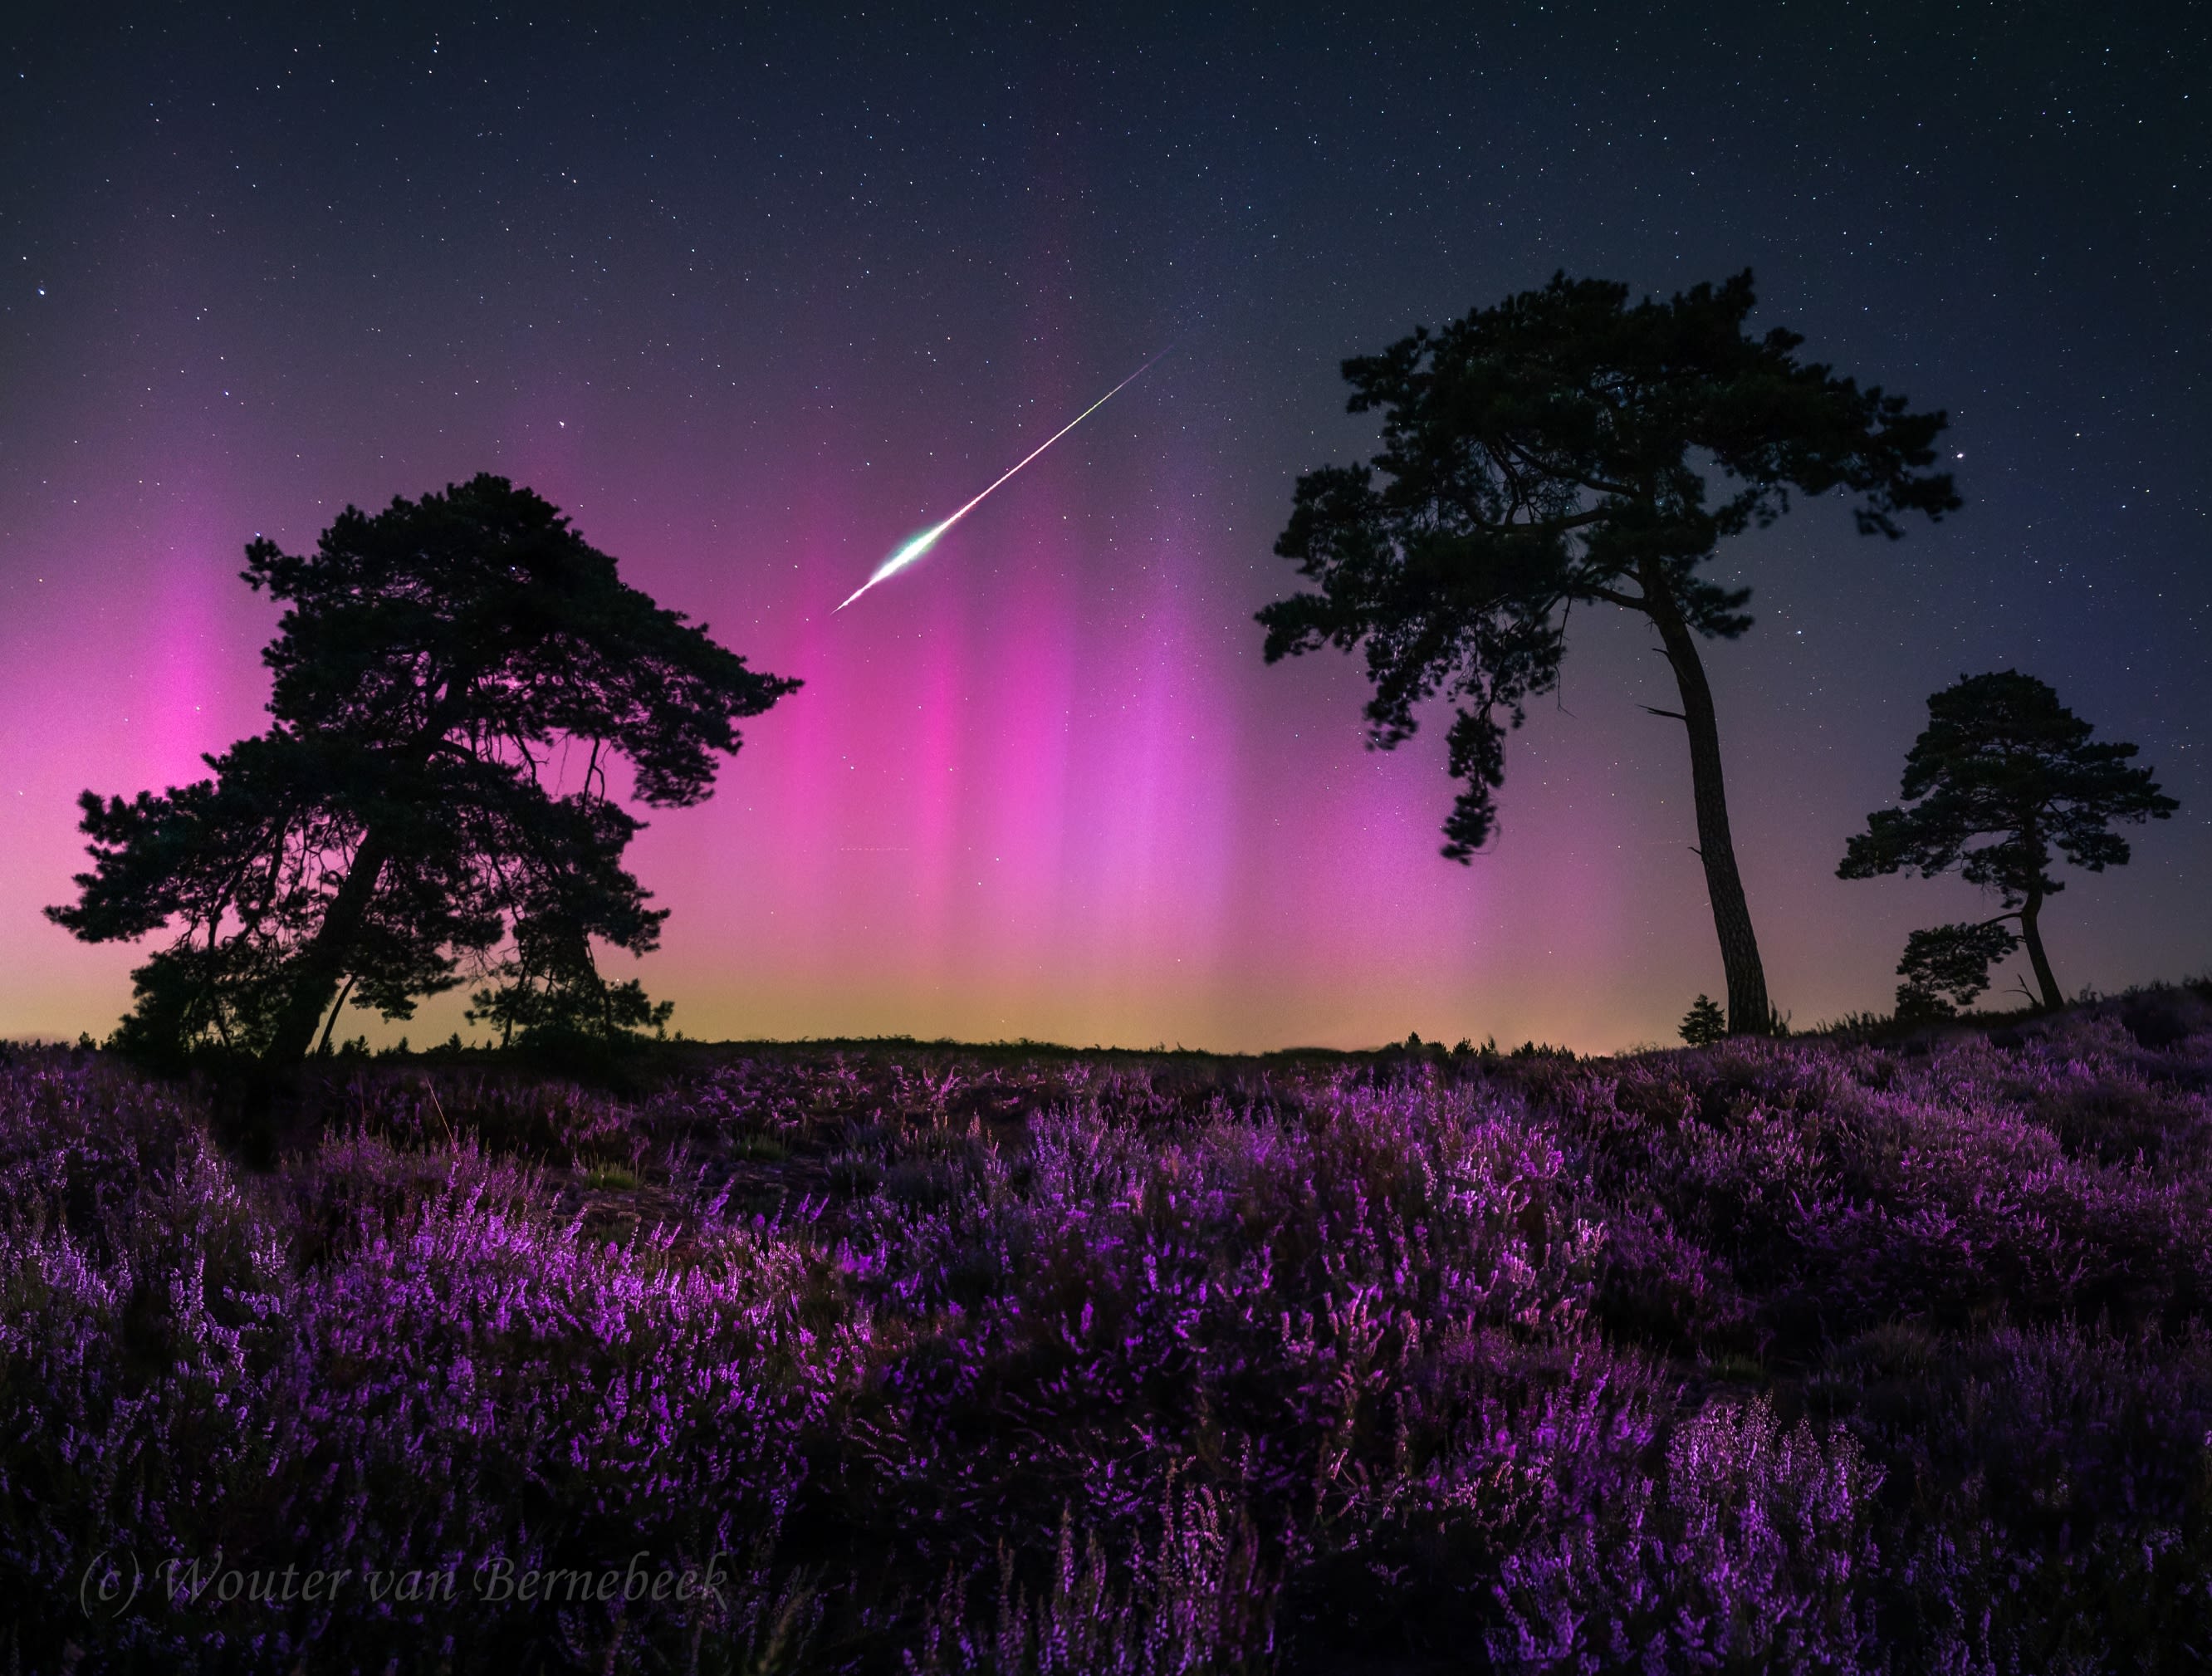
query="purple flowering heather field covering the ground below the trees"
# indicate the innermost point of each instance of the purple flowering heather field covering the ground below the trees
(1797, 1354)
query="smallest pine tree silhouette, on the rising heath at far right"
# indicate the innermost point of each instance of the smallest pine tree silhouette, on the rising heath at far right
(2001, 784)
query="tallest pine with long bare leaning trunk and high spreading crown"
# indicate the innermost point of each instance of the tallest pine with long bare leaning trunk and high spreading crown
(1561, 450)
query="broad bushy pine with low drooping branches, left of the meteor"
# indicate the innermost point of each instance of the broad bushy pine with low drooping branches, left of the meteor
(404, 819)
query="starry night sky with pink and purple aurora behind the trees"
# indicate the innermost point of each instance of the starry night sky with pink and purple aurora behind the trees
(755, 300)
